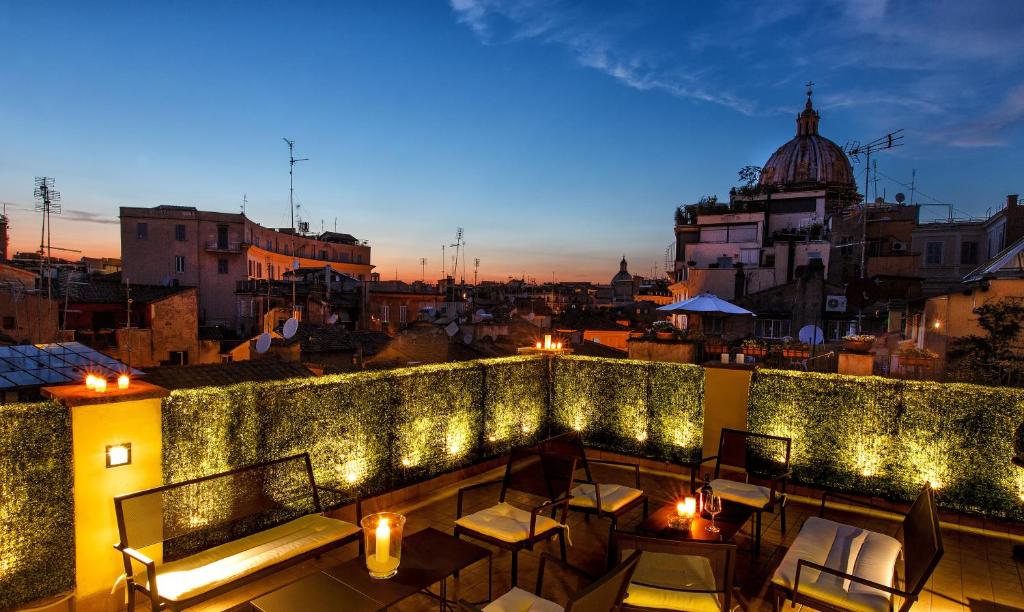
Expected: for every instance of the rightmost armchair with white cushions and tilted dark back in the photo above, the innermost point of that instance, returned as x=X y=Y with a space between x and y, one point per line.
x=833 y=566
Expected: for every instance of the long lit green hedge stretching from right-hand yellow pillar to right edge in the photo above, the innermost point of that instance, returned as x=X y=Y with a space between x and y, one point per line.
x=887 y=438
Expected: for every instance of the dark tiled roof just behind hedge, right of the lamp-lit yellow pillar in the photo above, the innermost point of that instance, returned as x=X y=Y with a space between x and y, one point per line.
x=219 y=375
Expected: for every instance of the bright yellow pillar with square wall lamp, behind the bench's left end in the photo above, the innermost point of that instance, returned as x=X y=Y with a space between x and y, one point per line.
x=94 y=428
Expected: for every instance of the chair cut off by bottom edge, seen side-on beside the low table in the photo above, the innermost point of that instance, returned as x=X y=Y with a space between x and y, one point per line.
x=604 y=595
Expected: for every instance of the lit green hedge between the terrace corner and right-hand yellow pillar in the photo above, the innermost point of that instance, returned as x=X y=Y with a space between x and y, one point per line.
x=644 y=409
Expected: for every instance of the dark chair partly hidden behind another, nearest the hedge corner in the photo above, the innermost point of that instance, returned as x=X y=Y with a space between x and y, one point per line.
x=591 y=498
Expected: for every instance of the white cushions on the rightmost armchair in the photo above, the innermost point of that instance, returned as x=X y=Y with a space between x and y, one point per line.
x=859 y=552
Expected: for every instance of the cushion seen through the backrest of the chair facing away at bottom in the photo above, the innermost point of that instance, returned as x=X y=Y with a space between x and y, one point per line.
x=672 y=572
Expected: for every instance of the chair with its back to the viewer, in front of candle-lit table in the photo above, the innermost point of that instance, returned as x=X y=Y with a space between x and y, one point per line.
x=677 y=575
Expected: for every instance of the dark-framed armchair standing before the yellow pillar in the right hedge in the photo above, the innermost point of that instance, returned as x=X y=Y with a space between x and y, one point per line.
x=760 y=456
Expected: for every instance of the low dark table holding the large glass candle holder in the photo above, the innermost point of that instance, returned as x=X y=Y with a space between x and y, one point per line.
x=429 y=557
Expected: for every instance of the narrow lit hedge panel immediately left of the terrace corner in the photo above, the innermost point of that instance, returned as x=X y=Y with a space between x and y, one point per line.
x=516 y=404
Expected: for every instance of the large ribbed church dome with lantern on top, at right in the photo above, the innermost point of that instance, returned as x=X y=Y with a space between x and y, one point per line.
x=808 y=160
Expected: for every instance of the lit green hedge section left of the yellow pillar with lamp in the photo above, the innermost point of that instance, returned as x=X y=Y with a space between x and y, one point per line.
x=37 y=537
